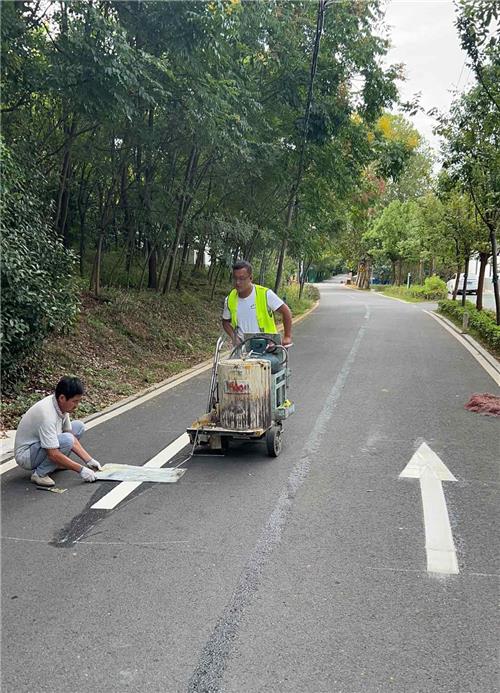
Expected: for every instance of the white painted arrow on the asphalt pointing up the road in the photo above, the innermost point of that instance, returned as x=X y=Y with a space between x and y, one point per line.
x=426 y=466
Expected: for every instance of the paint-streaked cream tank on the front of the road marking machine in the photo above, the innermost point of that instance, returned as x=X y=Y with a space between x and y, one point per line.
x=244 y=394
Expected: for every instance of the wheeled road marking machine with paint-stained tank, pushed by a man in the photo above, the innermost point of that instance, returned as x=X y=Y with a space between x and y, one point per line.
x=248 y=397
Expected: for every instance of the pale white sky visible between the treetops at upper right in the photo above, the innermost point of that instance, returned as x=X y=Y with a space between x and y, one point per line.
x=424 y=38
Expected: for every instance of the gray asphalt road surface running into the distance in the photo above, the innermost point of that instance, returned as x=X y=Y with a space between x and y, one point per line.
x=307 y=573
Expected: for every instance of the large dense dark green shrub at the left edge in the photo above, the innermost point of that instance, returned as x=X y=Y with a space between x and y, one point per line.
x=37 y=293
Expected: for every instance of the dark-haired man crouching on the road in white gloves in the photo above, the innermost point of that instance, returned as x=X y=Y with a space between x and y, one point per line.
x=46 y=436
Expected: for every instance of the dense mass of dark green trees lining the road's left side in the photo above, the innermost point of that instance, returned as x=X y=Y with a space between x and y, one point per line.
x=152 y=139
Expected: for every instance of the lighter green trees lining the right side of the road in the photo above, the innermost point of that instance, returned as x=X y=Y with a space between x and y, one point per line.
x=412 y=221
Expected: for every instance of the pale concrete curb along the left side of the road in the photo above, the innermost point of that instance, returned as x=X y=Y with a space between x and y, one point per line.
x=147 y=393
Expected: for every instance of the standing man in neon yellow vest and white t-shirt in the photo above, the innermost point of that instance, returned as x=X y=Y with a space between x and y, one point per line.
x=249 y=308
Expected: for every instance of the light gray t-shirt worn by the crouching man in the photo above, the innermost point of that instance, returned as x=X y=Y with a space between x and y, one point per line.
x=42 y=423
